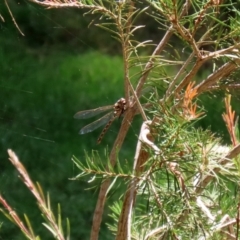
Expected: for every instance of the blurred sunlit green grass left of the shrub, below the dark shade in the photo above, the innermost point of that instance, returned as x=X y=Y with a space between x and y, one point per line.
x=39 y=95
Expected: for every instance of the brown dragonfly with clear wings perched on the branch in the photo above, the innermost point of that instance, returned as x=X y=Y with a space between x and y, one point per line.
x=118 y=110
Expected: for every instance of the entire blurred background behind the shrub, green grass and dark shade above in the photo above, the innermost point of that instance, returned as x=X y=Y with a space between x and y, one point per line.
x=46 y=77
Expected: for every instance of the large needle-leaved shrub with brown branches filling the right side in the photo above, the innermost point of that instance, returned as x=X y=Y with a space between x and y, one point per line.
x=182 y=183
